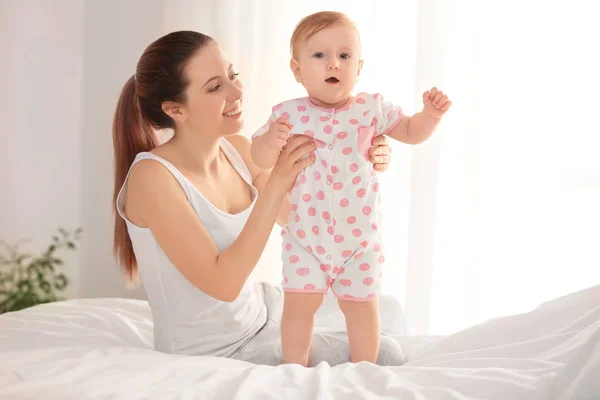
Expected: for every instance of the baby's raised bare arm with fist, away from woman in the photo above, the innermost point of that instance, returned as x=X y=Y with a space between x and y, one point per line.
x=419 y=127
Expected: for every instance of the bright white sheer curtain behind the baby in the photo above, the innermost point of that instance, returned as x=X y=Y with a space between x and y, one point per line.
x=499 y=211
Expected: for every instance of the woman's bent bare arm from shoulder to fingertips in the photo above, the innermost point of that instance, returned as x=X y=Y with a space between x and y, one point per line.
x=165 y=210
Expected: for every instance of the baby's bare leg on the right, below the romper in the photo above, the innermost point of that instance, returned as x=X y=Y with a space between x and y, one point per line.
x=364 y=329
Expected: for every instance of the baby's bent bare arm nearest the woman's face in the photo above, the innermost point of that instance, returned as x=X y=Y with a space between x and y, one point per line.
x=266 y=147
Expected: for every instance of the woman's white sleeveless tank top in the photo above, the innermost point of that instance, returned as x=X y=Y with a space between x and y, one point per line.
x=186 y=320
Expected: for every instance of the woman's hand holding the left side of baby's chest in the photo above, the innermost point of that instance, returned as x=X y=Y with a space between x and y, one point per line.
x=291 y=162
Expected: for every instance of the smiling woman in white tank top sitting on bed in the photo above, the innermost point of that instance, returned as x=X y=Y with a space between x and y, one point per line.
x=189 y=214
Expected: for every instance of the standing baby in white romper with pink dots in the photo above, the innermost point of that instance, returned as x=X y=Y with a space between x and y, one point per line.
x=333 y=236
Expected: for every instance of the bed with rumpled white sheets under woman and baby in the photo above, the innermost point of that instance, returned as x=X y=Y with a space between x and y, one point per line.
x=102 y=349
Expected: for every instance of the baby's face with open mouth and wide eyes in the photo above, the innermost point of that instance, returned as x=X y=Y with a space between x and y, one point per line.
x=328 y=65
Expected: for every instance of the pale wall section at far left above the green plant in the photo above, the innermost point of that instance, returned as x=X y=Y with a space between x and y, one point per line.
x=41 y=78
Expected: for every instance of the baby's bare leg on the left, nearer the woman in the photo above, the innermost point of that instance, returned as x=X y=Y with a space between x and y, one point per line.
x=297 y=322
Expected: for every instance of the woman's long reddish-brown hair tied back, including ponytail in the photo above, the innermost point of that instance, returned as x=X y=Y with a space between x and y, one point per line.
x=159 y=77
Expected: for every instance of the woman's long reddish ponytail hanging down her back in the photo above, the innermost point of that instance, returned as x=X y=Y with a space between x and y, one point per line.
x=132 y=134
